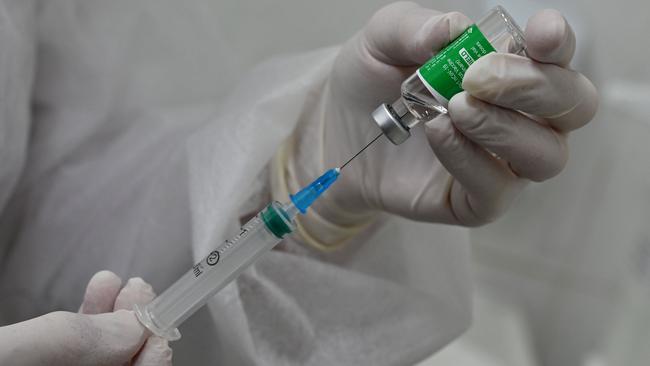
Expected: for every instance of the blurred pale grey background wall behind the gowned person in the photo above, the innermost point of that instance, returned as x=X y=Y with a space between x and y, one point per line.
x=571 y=259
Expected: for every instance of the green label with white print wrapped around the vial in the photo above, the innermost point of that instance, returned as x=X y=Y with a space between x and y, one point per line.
x=443 y=74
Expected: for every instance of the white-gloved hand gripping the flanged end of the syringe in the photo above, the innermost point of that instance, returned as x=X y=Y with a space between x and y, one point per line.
x=103 y=333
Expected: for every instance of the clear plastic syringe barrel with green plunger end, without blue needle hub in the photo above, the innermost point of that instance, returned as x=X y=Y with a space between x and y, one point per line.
x=215 y=271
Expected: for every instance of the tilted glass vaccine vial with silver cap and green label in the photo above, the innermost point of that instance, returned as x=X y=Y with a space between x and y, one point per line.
x=427 y=92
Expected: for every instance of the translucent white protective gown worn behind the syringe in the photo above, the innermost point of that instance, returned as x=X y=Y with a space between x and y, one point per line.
x=146 y=144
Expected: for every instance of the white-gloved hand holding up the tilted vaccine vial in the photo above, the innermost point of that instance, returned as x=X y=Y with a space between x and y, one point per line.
x=509 y=126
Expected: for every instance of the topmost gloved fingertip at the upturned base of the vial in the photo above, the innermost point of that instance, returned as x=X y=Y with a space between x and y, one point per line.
x=549 y=38
